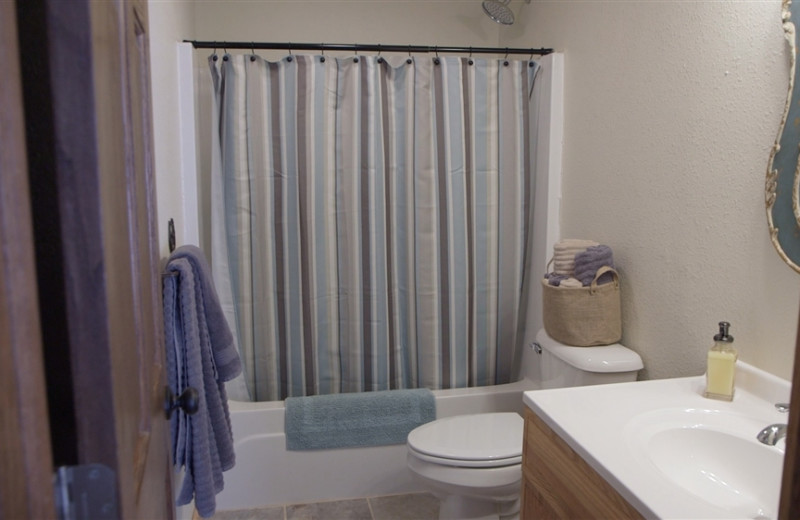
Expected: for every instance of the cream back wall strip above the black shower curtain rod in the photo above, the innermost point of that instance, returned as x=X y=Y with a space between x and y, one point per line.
x=418 y=22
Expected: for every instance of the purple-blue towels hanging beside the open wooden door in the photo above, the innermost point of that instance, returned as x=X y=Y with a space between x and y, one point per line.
x=200 y=353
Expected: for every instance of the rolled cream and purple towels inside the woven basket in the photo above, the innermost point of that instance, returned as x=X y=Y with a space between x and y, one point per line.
x=576 y=262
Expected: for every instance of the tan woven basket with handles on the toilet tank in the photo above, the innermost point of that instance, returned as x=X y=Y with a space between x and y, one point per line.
x=584 y=316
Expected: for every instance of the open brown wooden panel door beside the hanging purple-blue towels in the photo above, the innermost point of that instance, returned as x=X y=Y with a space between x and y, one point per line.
x=86 y=93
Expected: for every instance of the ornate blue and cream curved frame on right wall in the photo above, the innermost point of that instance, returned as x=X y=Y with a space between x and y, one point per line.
x=783 y=170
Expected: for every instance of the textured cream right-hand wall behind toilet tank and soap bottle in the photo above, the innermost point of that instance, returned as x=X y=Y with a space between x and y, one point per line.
x=671 y=109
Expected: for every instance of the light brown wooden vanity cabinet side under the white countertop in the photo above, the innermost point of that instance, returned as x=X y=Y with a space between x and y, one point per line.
x=557 y=483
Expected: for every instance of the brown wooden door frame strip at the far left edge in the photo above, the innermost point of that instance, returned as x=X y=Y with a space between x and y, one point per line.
x=25 y=460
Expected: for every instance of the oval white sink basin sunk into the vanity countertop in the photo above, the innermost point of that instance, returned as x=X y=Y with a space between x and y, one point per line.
x=707 y=453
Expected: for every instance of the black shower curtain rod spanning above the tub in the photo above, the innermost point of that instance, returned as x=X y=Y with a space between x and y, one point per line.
x=360 y=47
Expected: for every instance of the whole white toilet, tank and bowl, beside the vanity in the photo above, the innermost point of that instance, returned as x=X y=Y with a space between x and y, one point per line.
x=473 y=463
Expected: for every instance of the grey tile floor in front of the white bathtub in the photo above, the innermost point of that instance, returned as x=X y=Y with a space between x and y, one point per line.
x=417 y=506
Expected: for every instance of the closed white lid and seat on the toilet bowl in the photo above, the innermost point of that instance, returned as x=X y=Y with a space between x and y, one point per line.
x=487 y=438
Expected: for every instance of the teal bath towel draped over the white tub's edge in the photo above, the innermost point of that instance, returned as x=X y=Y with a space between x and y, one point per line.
x=357 y=419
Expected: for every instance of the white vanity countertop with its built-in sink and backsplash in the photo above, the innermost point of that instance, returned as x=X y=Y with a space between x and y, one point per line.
x=671 y=452
